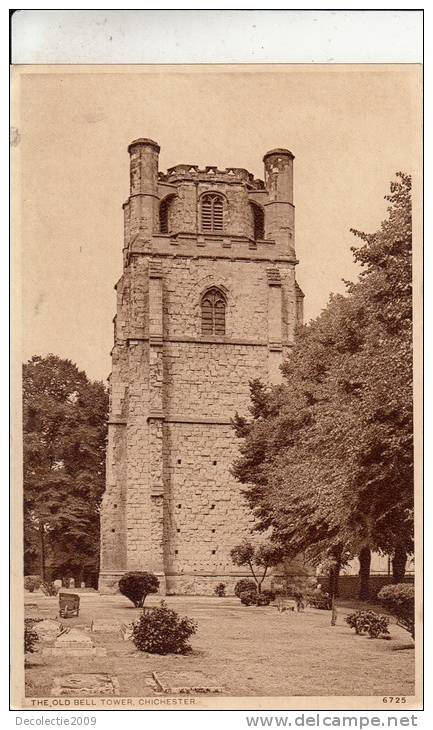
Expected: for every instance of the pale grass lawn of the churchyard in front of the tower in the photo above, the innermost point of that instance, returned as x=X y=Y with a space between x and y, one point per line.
x=246 y=650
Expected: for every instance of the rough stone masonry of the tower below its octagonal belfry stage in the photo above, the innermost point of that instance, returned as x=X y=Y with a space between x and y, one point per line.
x=203 y=384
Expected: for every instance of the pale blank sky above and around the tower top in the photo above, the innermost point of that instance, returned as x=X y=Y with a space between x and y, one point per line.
x=350 y=129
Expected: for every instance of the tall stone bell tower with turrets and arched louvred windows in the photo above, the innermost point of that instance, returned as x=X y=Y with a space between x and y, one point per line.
x=207 y=301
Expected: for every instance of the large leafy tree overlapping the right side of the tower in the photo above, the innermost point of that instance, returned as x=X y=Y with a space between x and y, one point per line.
x=326 y=457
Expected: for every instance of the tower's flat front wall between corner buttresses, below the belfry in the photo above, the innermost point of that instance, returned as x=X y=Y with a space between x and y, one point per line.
x=205 y=514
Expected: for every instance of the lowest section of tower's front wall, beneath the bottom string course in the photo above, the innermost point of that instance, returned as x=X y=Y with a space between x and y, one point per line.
x=205 y=515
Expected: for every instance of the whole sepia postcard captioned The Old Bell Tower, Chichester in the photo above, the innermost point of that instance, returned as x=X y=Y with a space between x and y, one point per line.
x=216 y=449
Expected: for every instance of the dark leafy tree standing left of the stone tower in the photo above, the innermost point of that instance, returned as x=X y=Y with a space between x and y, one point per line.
x=64 y=432
